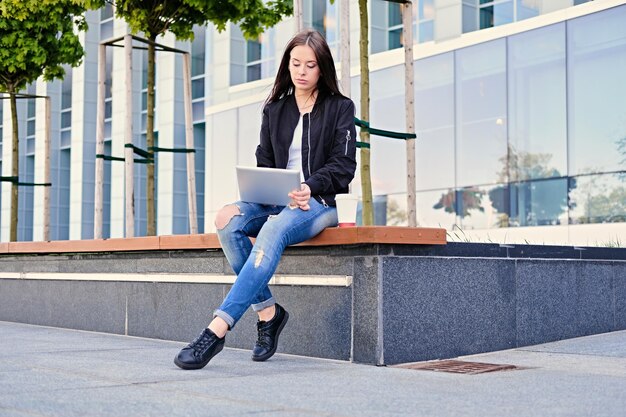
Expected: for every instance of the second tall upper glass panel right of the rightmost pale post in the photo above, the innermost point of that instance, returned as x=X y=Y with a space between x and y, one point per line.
x=481 y=113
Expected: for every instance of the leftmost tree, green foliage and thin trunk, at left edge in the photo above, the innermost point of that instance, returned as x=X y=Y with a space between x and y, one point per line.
x=37 y=37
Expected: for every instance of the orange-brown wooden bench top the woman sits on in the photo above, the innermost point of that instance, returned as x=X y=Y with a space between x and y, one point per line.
x=329 y=237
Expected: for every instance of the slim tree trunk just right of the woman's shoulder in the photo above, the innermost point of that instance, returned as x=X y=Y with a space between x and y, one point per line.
x=366 y=182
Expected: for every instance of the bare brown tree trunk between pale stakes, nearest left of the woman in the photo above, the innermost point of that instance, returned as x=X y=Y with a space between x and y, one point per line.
x=150 y=203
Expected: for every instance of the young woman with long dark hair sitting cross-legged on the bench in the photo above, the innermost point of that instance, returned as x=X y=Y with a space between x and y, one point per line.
x=307 y=125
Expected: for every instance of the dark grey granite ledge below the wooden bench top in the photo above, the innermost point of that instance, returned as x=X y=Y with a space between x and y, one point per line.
x=370 y=302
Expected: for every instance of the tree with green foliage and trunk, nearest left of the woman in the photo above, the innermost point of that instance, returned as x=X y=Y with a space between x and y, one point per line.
x=154 y=18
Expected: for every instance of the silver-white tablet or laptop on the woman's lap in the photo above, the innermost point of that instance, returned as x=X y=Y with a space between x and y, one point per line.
x=267 y=185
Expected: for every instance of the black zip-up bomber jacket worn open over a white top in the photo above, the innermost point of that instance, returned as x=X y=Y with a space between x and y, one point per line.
x=328 y=143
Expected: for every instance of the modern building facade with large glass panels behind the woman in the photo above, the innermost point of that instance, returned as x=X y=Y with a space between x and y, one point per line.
x=520 y=121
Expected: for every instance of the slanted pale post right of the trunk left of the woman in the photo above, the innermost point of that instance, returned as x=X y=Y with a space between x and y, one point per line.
x=191 y=163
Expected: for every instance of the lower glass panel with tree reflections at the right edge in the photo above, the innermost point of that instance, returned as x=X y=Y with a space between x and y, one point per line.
x=597 y=199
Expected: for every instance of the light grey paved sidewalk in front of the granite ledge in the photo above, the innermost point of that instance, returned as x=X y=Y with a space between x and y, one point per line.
x=55 y=372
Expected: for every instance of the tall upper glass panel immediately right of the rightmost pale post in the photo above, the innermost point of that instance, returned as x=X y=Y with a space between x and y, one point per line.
x=434 y=121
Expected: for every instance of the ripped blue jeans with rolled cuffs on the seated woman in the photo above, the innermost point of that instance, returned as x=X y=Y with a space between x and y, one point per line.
x=275 y=227
